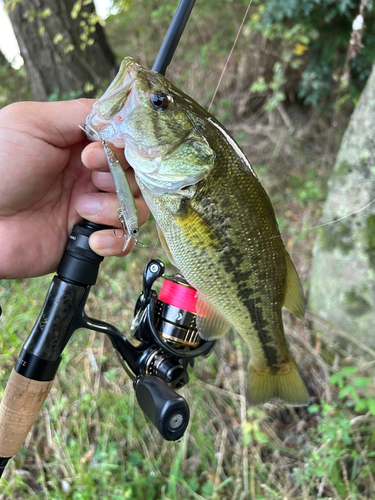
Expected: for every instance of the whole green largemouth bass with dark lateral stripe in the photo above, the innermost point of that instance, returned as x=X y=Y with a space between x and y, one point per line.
x=214 y=218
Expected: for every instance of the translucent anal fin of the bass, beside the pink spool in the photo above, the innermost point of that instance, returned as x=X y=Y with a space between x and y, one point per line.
x=210 y=323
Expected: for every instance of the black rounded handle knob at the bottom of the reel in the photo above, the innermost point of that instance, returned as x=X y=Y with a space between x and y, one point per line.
x=166 y=409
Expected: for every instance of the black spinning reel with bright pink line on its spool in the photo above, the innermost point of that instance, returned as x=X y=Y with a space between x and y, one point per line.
x=166 y=327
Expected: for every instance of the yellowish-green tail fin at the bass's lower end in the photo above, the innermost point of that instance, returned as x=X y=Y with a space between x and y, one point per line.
x=282 y=382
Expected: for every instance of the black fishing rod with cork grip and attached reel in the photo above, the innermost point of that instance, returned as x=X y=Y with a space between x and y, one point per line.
x=164 y=327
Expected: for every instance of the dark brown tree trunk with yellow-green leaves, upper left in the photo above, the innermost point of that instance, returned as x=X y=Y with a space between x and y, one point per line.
x=63 y=46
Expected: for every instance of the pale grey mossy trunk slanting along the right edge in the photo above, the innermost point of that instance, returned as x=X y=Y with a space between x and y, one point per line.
x=342 y=280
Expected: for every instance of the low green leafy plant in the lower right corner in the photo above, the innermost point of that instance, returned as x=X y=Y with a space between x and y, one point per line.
x=340 y=454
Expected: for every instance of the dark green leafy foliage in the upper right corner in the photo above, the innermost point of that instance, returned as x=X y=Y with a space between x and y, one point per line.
x=328 y=26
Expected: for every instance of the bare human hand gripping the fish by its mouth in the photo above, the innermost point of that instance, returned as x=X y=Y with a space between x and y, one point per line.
x=43 y=180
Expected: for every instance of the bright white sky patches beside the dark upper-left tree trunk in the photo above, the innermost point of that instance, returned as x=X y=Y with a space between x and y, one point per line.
x=8 y=43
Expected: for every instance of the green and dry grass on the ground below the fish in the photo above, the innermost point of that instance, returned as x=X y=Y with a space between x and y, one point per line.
x=91 y=439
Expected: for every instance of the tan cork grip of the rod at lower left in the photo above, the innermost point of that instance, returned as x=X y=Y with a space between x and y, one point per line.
x=22 y=401
